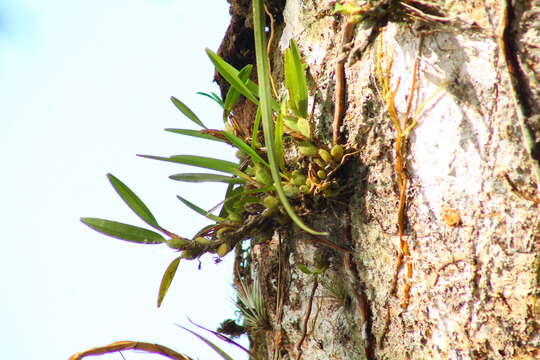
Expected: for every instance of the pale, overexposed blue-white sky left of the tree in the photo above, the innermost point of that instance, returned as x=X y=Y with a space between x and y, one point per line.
x=84 y=86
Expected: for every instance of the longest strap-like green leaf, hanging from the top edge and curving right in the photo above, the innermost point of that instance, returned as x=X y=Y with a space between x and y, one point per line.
x=263 y=71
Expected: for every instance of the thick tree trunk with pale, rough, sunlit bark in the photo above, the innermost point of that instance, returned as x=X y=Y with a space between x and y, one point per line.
x=438 y=260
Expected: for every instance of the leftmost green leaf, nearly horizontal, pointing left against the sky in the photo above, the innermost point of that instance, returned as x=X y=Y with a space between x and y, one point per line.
x=123 y=231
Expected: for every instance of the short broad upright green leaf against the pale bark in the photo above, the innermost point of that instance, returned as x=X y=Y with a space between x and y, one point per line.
x=295 y=80
